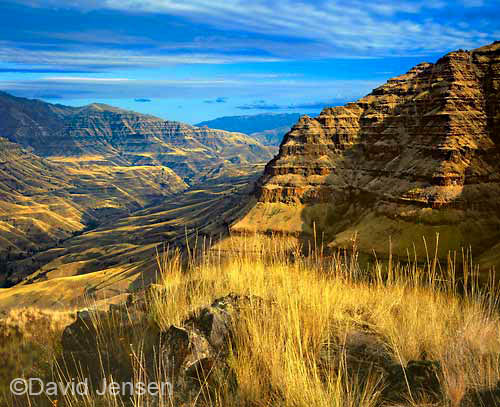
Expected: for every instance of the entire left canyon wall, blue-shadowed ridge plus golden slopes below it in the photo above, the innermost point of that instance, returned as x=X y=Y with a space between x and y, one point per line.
x=65 y=169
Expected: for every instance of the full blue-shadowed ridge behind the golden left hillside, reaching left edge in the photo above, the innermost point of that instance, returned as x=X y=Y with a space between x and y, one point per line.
x=123 y=137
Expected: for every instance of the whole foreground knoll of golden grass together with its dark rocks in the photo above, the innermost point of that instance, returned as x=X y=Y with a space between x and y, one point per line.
x=284 y=328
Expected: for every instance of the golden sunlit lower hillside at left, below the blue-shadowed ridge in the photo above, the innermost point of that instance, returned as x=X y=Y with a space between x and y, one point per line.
x=44 y=202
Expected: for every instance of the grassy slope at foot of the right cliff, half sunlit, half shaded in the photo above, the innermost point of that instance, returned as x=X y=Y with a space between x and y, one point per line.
x=412 y=231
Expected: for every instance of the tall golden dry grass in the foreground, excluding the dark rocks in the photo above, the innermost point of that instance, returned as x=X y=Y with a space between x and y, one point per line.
x=432 y=311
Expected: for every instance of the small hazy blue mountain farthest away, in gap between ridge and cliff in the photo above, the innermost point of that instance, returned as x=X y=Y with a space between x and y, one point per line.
x=267 y=128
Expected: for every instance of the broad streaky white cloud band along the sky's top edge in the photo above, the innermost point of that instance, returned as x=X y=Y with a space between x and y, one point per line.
x=384 y=27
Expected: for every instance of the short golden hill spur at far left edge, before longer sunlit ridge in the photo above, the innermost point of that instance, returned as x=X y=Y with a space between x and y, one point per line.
x=26 y=181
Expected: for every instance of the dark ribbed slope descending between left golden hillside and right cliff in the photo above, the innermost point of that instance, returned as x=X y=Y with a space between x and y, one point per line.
x=120 y=256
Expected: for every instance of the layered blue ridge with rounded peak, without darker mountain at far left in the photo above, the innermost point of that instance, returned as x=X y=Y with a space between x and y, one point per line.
x=104 y=130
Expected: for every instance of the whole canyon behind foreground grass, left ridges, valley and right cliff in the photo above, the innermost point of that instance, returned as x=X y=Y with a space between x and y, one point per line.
x=408 y=171
